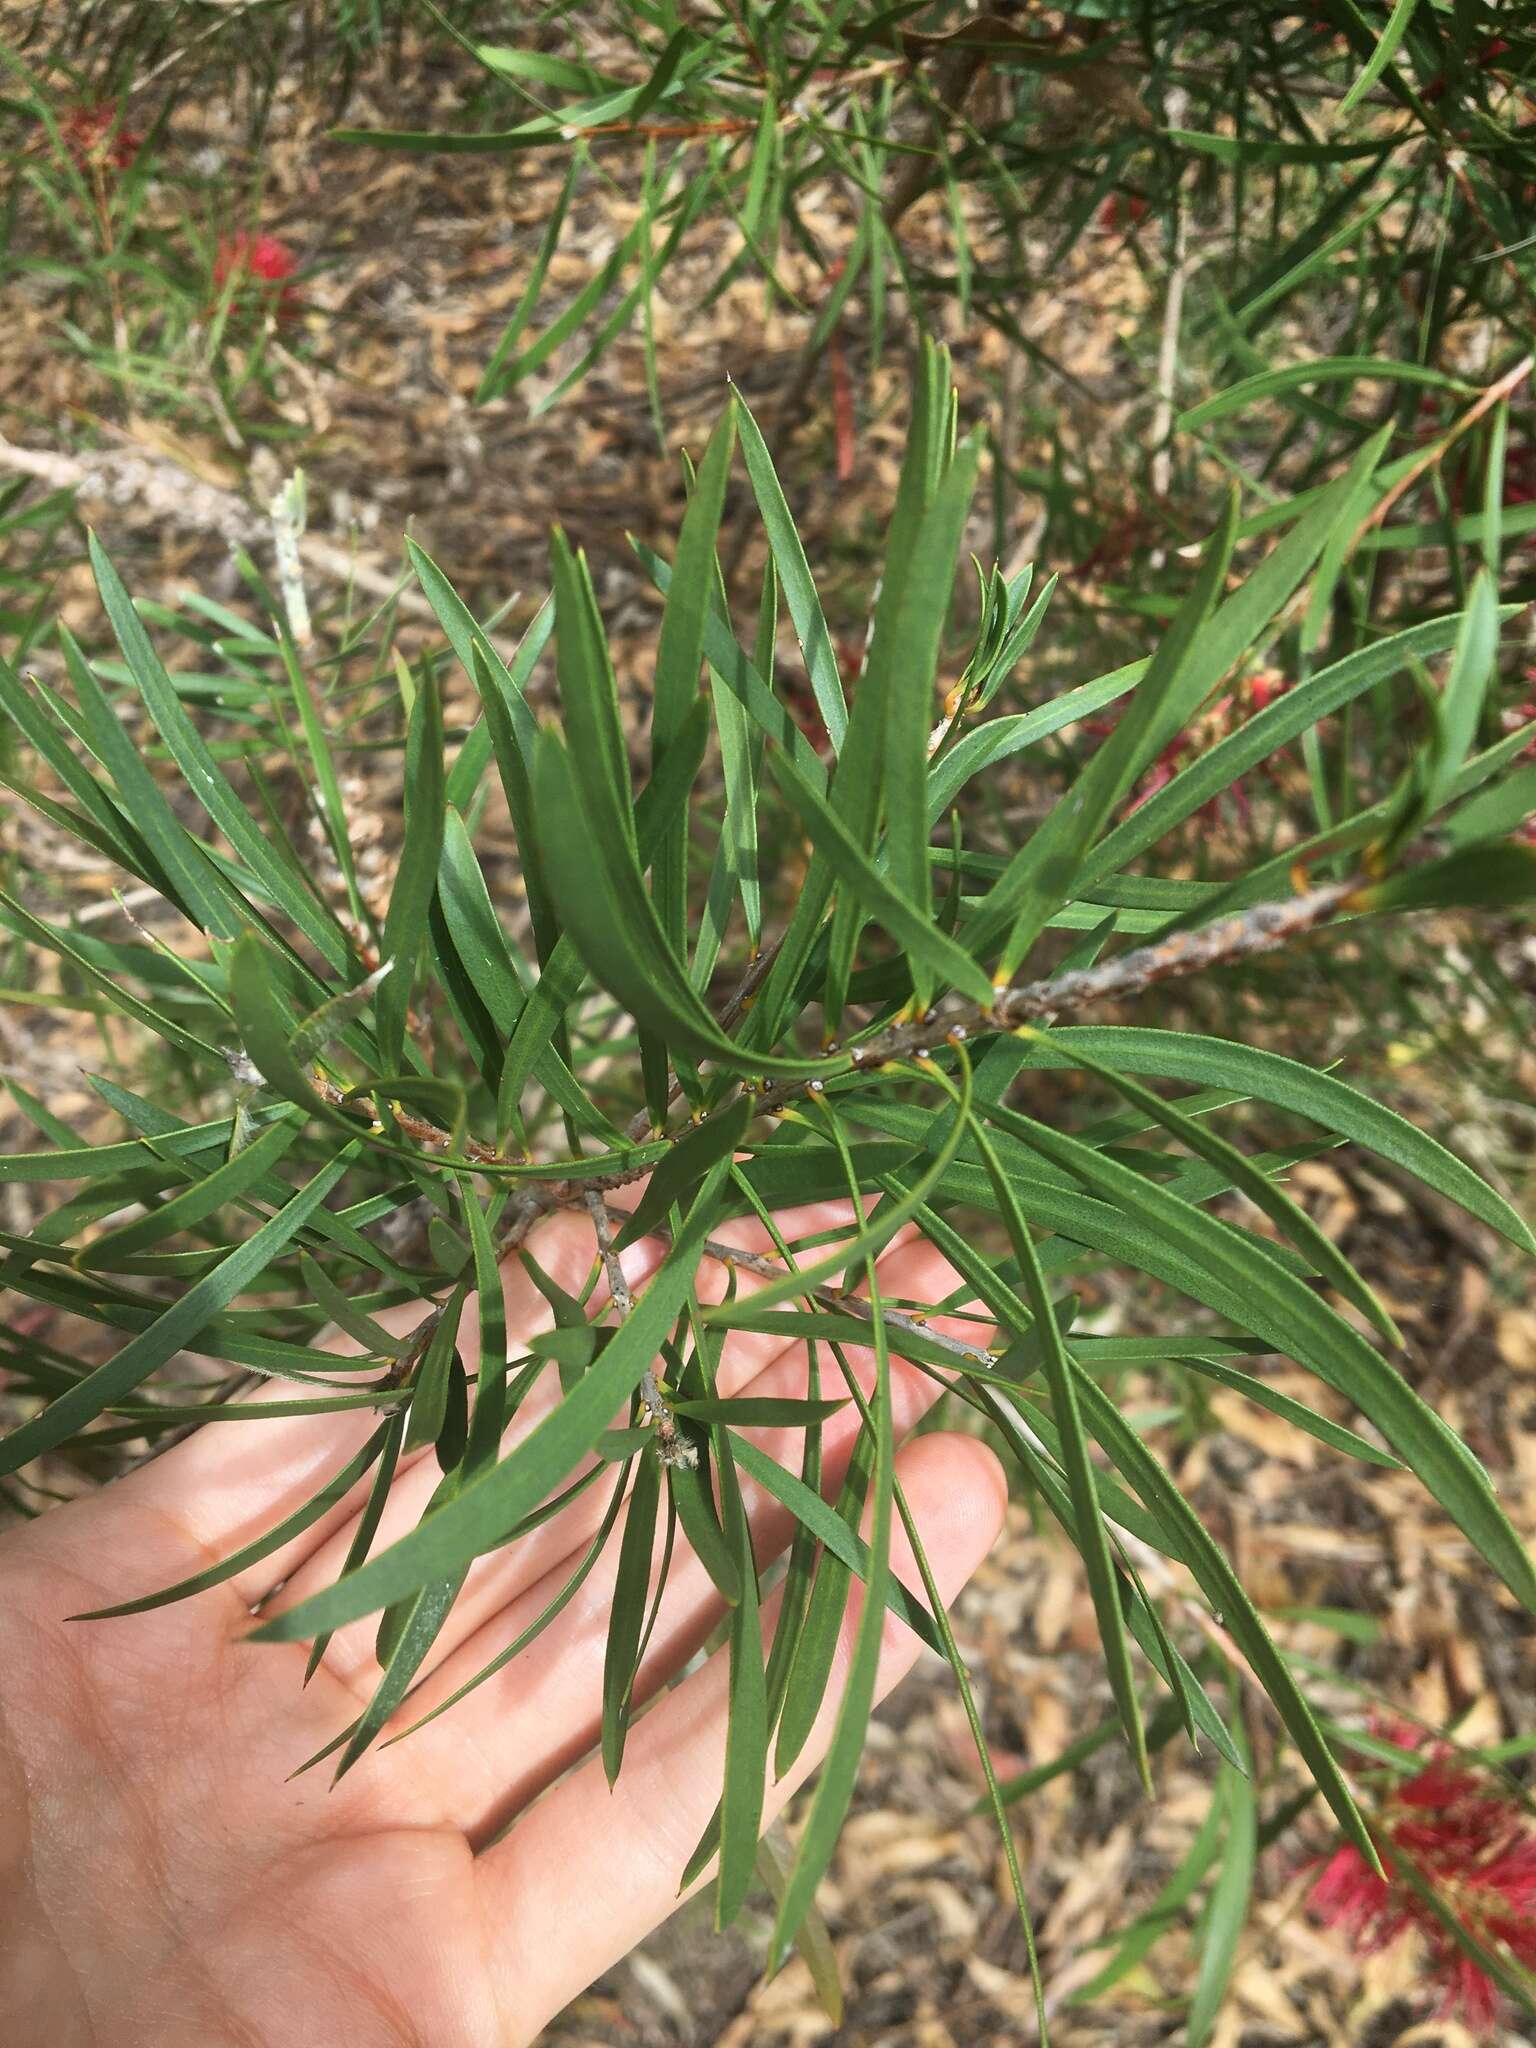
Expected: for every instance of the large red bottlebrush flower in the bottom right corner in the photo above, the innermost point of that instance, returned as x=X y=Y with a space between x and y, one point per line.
x=1467 y=1844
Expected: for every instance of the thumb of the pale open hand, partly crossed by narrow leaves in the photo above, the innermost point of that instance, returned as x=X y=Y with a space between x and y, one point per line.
x=591 y=1873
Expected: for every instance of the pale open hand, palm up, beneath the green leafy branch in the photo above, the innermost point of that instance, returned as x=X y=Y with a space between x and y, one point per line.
x=165 y=1885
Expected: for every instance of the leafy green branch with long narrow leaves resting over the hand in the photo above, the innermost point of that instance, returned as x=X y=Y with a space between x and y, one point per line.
x=357 y=1062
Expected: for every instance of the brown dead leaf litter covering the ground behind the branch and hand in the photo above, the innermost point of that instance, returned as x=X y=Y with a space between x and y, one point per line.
x=413 y=271
